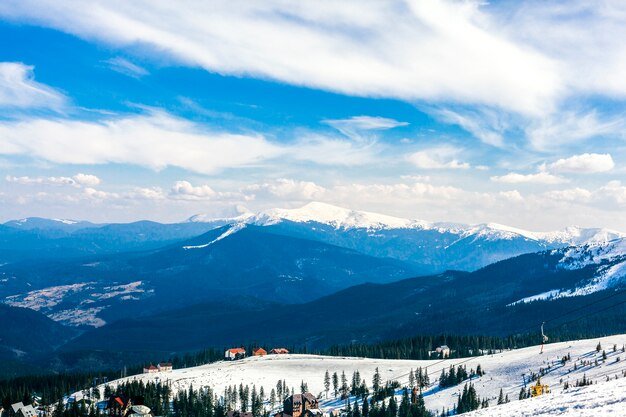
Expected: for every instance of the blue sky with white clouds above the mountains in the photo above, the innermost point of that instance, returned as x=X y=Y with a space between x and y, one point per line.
x=511 y=112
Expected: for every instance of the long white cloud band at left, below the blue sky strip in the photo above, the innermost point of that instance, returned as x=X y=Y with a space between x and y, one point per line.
x=156 y=141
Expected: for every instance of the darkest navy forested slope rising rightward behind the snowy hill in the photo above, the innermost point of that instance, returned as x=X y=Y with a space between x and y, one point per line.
x=482 y=302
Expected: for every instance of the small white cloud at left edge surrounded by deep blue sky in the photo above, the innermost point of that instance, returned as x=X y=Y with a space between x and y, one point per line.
x=18 y=89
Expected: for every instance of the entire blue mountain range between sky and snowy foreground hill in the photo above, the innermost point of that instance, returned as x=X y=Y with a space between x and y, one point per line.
x=332 y=275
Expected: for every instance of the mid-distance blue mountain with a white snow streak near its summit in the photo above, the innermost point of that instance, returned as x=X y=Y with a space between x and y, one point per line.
x=228 y=262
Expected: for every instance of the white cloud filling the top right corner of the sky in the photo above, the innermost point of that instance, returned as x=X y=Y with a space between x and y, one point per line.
x=585 y=37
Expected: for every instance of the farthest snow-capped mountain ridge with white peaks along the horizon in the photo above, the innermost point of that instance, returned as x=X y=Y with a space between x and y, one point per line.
x=434 y=247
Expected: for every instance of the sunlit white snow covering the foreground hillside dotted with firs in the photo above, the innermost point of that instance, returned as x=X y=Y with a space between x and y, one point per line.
x=503 y=370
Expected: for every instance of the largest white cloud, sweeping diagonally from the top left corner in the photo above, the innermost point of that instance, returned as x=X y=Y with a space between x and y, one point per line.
x=438 y=50
